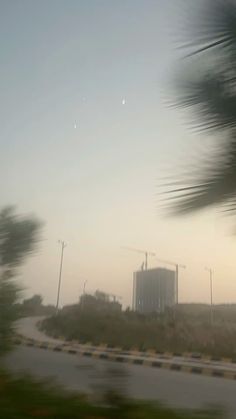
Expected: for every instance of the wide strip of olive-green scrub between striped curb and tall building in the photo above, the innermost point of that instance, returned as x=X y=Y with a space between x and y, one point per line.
x=189 y=331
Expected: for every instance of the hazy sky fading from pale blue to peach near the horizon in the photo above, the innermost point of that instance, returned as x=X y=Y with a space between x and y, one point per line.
x=86 y=140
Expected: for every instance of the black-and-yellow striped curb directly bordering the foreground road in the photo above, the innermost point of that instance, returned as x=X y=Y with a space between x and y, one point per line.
x=121 y=357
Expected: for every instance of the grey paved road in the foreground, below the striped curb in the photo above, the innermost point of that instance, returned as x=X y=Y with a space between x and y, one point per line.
x=81 y=373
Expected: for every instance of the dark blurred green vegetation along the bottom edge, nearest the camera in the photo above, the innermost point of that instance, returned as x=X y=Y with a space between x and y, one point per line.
x=23 y=398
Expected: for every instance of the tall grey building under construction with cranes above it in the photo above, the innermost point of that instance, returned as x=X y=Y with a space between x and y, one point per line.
x=153 y=290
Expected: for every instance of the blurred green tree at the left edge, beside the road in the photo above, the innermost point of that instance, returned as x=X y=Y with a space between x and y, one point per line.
x=18 y=238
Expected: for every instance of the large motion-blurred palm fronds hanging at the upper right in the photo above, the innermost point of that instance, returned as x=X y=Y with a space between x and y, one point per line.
x=208 y=88
